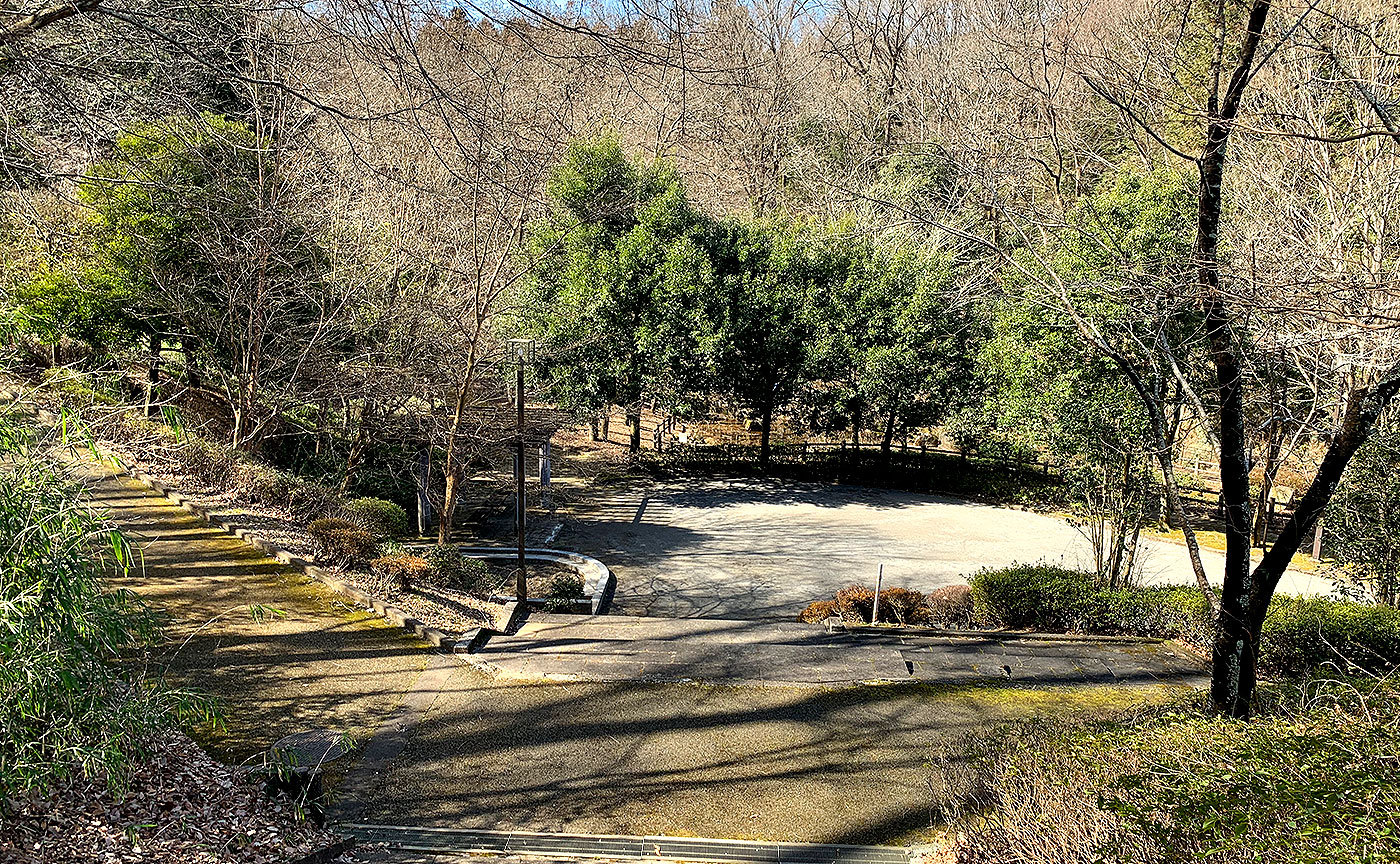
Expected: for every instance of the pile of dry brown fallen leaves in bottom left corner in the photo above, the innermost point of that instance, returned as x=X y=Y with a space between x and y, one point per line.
x=181 y=807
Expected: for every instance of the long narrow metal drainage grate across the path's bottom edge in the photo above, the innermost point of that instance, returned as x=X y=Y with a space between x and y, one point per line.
x=612 y=846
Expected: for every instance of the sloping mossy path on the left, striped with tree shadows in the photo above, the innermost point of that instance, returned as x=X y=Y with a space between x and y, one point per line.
x=278 y=652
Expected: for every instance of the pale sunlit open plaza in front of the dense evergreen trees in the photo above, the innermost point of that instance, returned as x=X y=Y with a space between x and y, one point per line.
x=757 y=550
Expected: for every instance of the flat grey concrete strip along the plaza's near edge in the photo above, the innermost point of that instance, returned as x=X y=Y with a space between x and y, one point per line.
x=615 y=649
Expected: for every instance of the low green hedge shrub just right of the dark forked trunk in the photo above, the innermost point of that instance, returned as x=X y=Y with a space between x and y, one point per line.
x=1304 y=634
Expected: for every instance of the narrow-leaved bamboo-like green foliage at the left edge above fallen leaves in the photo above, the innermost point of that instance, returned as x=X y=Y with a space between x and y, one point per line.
x=66 y=702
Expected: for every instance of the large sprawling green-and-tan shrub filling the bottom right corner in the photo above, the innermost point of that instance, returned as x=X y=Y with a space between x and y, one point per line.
x=1305 y=782
